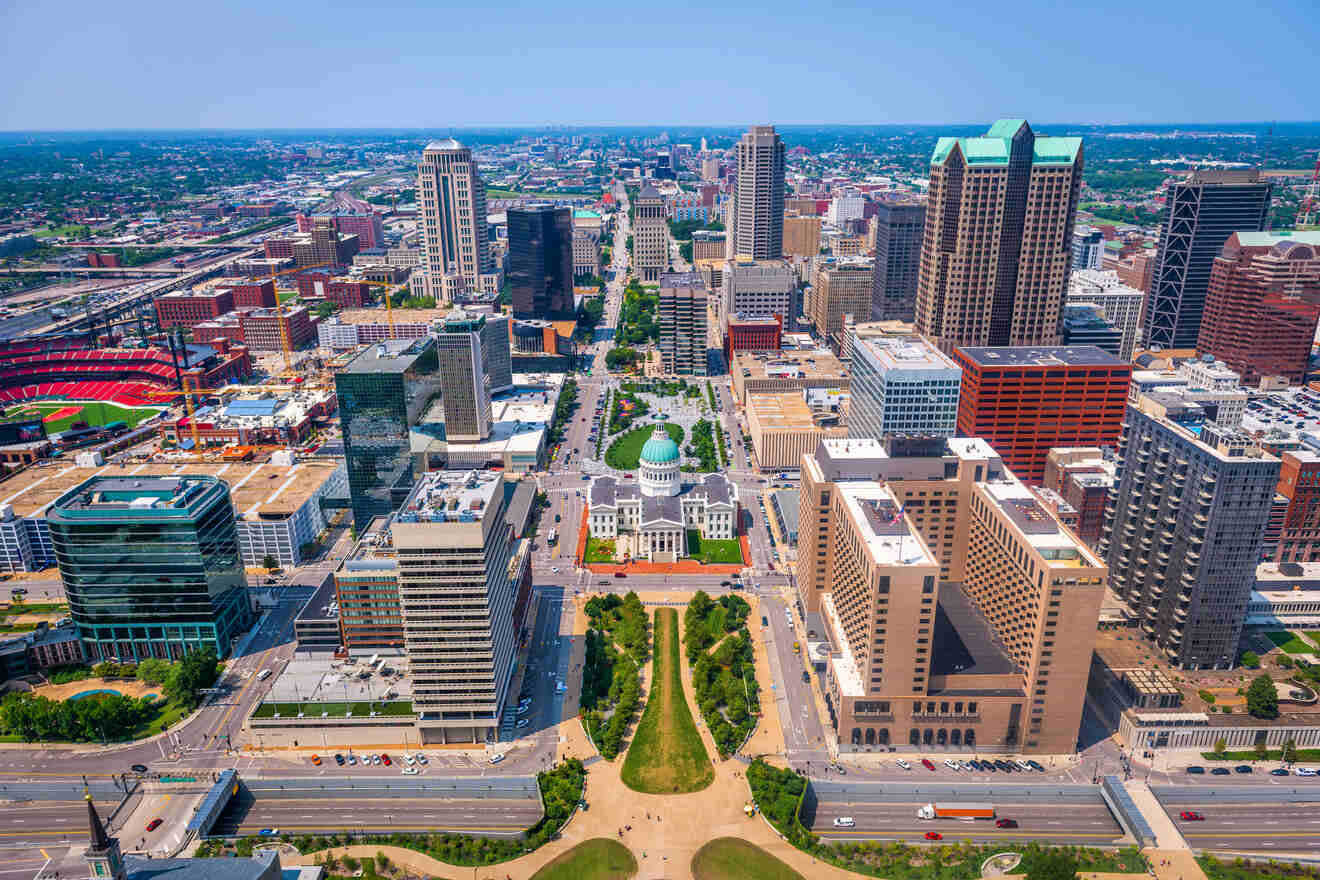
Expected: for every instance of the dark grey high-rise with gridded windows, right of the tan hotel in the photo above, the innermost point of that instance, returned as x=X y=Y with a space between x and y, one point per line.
x=1185 y=528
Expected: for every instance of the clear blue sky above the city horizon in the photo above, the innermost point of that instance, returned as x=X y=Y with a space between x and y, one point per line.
x=295 y=64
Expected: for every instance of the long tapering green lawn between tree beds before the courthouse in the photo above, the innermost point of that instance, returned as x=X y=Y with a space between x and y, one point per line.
x=667 y=755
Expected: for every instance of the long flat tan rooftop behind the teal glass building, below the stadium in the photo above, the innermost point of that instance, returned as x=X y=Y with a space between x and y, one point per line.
x=257 y=490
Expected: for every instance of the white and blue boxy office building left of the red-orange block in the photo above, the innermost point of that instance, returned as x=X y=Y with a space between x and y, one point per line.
x=902 y=386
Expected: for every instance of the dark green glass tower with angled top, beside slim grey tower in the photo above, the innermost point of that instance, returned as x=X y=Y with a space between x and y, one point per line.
x=383 y=393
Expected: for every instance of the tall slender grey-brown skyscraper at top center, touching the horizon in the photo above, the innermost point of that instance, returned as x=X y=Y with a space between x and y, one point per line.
x=757 y=200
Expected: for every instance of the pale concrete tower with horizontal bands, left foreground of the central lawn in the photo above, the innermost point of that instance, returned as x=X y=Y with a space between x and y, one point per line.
x=459 y=589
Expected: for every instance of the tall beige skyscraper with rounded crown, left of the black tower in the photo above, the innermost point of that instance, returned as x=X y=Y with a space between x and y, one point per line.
x=456 y=255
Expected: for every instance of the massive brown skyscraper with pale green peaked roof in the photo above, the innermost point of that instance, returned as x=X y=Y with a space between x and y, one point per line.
x=999 y=238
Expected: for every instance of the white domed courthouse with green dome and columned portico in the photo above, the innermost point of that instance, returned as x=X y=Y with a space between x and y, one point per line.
x=650 y=519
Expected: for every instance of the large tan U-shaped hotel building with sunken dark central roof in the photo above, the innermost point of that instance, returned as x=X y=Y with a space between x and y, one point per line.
x=980 y=650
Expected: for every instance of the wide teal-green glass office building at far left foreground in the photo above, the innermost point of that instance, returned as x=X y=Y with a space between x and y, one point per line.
x=151 y=565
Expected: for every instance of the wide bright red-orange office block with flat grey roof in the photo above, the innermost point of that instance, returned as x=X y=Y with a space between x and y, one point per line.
x=1028 y=400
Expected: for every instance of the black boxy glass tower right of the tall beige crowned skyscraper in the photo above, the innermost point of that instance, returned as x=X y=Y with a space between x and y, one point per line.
x=541 y=262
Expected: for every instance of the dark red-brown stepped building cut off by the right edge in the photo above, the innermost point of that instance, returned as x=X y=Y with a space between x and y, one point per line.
x=1263 y=305
